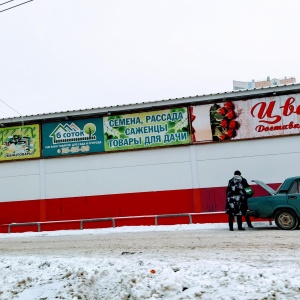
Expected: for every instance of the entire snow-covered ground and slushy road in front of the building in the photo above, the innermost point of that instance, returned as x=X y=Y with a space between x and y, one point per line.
x=202 y=261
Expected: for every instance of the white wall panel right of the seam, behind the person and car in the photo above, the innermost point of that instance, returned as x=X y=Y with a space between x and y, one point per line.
x=270 y=160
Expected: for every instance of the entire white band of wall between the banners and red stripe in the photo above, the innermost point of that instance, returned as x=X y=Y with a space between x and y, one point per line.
x=204 y=165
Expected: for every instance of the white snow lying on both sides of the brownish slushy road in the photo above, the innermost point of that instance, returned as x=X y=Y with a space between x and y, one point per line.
x=165 y=274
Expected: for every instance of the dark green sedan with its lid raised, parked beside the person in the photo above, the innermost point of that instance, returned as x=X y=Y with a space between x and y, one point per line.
x=282 y=205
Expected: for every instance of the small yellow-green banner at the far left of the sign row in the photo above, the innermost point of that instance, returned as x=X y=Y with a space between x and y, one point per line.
x=20 y=142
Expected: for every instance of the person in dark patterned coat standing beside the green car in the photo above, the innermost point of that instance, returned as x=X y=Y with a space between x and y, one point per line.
x=236 y=198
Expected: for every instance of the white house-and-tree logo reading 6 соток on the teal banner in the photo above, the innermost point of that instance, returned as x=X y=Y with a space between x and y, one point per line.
x=72 y=133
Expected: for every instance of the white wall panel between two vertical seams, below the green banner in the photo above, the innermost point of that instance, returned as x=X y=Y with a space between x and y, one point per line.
x=122 y=172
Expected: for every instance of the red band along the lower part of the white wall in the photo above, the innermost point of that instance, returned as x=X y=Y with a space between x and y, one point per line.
x=120 y=205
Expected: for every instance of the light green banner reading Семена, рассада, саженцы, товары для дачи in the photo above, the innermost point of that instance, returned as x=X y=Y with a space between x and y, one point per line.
x=146 y=129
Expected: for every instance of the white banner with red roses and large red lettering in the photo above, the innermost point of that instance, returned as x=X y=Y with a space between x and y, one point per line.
x=246 y=119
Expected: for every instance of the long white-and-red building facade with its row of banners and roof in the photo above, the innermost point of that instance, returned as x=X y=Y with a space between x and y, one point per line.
x=164 y=157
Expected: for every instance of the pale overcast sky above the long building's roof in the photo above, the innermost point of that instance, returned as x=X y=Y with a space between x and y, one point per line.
x=59 y=55
